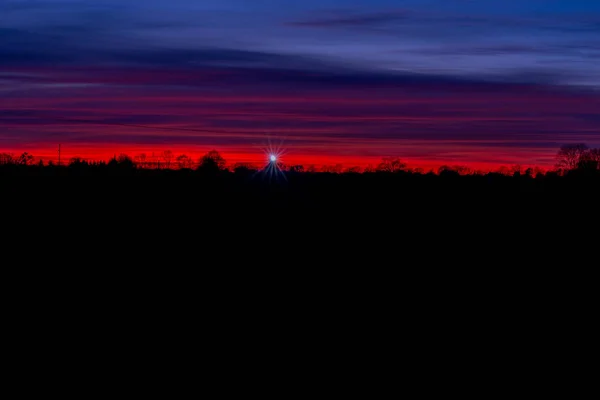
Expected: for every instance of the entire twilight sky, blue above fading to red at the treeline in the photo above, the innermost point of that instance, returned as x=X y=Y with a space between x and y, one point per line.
x=456 y=82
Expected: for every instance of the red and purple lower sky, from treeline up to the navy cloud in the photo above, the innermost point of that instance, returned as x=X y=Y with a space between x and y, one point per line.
x=97 y=113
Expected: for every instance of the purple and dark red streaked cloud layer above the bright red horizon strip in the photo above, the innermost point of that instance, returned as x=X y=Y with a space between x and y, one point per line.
x=436 y=119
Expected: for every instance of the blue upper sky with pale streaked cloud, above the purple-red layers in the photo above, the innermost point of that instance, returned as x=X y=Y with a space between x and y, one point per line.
x=443 y=37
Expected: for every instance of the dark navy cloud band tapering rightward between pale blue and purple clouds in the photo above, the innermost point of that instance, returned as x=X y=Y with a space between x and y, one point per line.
x=61 y=59
